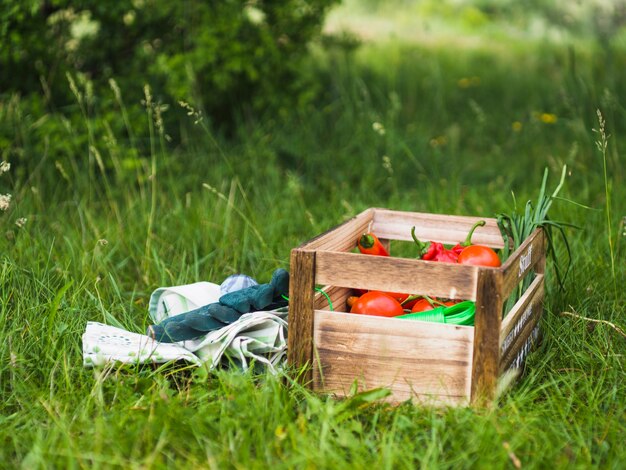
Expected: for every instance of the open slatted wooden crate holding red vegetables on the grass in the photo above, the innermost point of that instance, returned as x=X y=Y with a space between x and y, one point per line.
x=419 y=360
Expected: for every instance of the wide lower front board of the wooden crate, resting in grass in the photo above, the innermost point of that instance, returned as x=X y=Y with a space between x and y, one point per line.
x=413 y=358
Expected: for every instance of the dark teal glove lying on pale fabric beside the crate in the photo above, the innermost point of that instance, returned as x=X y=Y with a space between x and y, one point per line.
x=227 y=310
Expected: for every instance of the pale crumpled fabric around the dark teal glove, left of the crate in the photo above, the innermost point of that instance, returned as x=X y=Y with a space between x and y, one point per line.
x=258 y=336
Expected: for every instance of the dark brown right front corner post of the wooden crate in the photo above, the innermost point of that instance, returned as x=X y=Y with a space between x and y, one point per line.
x=485 y=366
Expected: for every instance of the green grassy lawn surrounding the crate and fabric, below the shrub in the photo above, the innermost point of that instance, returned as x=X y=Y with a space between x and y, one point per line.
x=462 y=127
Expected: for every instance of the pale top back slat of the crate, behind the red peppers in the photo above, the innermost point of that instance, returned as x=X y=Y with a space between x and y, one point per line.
x=447 y=229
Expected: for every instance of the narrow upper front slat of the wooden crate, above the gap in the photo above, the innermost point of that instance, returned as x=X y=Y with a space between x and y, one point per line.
x=454 y=281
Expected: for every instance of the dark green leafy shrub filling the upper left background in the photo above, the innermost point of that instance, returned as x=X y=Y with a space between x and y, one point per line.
x=66 y=61
